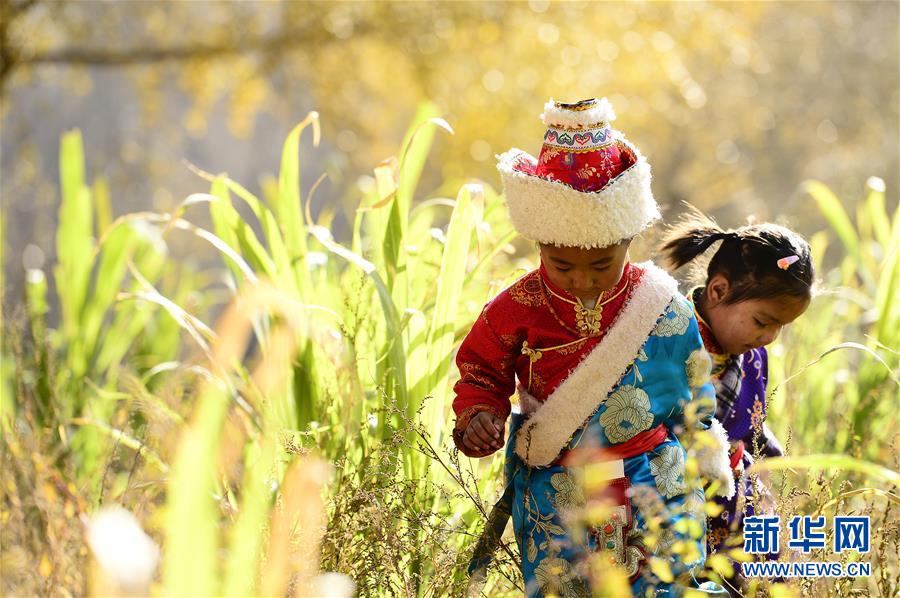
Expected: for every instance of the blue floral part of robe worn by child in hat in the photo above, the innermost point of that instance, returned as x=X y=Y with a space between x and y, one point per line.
x=670 y=372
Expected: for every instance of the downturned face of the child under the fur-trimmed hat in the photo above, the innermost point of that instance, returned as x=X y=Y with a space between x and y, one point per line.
x=585 y=273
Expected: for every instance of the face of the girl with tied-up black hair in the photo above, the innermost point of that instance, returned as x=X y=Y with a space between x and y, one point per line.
x=739 y=327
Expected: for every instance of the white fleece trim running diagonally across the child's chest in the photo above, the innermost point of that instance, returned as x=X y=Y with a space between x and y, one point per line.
x=547 y=432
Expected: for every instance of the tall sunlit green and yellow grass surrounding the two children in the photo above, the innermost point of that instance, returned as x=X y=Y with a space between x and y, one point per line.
x=287 y=412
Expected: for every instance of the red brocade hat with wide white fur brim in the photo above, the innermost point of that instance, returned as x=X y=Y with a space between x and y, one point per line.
x=588 y=188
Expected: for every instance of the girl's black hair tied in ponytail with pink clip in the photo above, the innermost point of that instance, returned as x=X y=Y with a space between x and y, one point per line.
x=749 y=257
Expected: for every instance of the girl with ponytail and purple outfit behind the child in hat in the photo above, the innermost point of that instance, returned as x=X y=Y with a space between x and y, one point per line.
x=759 y=279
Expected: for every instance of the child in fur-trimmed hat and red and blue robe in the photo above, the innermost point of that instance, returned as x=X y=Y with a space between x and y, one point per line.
x=608 y=360
